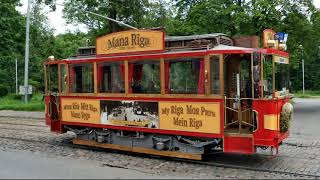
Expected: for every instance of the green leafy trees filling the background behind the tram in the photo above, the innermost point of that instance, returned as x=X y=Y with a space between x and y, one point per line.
x=299 y=18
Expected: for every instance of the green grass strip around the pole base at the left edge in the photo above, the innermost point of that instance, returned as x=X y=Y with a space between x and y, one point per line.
x=14 y=102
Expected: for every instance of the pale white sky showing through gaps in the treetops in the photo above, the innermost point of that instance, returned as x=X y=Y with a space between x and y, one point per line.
x=59 y=24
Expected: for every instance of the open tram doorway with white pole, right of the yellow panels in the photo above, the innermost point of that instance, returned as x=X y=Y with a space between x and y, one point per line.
x=238 y=93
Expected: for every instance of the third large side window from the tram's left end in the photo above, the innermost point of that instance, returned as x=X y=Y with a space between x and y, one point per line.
x=144 y=77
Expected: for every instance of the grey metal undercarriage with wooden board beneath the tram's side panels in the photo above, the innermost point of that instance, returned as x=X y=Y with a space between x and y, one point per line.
x=154 y=144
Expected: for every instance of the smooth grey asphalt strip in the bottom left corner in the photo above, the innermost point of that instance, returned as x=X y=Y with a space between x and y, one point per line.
x=33 y=166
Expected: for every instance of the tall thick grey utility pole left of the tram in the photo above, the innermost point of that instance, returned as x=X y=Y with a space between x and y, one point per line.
x=26 y=55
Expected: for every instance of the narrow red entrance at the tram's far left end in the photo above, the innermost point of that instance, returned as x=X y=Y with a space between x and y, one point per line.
x=52 y=99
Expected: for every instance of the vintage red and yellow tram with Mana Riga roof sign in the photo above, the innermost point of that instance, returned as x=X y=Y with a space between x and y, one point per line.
x=178 y=96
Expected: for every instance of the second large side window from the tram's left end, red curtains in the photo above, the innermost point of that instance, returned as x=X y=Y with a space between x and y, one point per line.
x=111 y=77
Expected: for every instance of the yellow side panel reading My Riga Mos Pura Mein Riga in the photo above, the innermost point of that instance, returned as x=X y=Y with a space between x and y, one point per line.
x=190 y=116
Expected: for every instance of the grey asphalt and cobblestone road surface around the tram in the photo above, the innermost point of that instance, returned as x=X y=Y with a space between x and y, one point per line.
x=300 y=153
